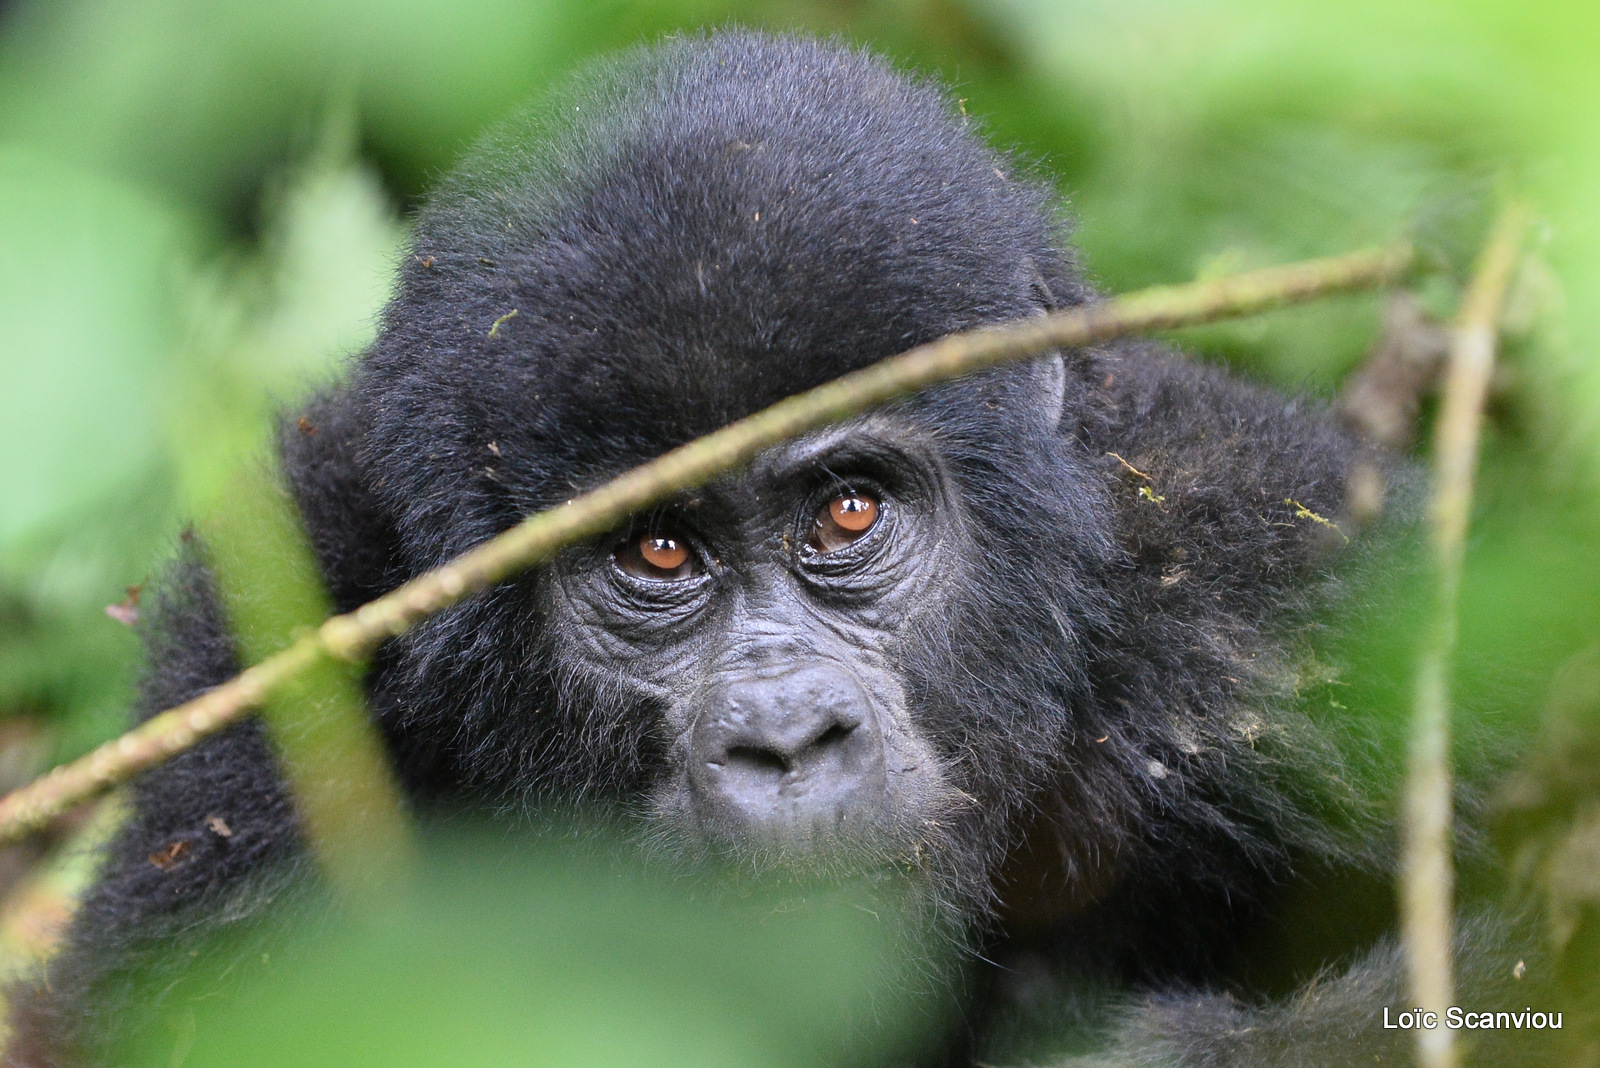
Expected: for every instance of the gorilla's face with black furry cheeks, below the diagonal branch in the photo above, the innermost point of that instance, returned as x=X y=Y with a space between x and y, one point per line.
x=858 y=653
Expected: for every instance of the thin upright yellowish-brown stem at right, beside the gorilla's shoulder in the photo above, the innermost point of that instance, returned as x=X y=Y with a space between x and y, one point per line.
x=1428 y=872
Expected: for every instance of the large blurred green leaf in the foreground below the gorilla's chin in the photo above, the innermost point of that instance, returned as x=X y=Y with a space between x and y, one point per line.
x=506 y=954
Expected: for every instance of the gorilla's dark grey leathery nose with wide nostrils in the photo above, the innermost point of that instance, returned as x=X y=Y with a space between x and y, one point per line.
x=793 y=754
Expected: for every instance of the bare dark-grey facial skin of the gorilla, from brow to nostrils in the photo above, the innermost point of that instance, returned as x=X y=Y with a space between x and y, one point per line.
x=766 y=618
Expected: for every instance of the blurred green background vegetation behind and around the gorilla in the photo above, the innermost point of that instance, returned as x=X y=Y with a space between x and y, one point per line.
x=202 y=201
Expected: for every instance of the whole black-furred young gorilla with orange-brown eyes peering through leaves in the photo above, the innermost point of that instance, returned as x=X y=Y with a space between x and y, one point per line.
x=1038 y=636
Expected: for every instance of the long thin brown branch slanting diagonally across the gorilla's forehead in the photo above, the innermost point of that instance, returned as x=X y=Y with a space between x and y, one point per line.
x=356 y=636
